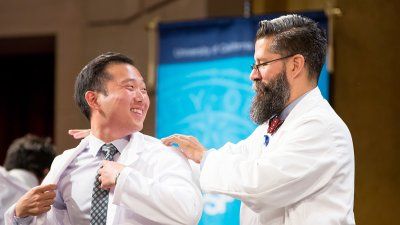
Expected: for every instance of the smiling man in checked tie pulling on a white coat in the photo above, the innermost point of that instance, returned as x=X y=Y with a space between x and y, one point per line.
x=116 y=175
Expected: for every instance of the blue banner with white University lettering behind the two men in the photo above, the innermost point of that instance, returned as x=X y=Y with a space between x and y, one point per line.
x=204 y=90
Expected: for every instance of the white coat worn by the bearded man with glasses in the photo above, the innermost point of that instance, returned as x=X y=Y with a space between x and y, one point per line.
x=304 y=176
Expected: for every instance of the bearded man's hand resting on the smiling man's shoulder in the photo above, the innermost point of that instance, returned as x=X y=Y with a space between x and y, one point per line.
x=188 y=145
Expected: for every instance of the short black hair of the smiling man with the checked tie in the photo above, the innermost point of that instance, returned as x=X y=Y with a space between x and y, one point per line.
x=93 y=77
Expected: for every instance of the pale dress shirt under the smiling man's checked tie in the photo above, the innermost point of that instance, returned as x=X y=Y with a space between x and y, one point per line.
x=75 y=187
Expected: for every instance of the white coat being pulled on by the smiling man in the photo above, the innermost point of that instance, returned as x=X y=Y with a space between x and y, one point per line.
x=157 y=187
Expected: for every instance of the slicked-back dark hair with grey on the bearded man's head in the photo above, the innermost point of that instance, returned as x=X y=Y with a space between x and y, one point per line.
x=294 y=34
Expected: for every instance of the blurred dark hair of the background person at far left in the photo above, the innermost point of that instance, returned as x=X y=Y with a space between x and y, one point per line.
x=30 y=153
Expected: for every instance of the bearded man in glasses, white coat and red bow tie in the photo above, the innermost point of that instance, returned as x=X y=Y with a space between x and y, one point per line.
x=303 y=172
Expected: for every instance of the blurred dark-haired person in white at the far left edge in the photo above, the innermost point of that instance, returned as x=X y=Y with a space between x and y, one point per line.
x=27 y=162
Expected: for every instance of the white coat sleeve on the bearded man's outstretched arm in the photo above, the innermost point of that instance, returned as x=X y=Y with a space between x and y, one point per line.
x=297 y=167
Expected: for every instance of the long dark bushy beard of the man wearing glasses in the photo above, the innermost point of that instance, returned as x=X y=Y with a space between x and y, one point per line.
x=270 y=98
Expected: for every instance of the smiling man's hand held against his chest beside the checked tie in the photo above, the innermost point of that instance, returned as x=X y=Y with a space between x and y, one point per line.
x=108 y=174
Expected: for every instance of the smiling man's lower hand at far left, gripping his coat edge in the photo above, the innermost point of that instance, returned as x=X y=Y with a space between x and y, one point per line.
x=36 y=201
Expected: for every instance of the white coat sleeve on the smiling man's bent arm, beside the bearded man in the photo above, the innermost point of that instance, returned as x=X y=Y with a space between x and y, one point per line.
x=169 y=197
